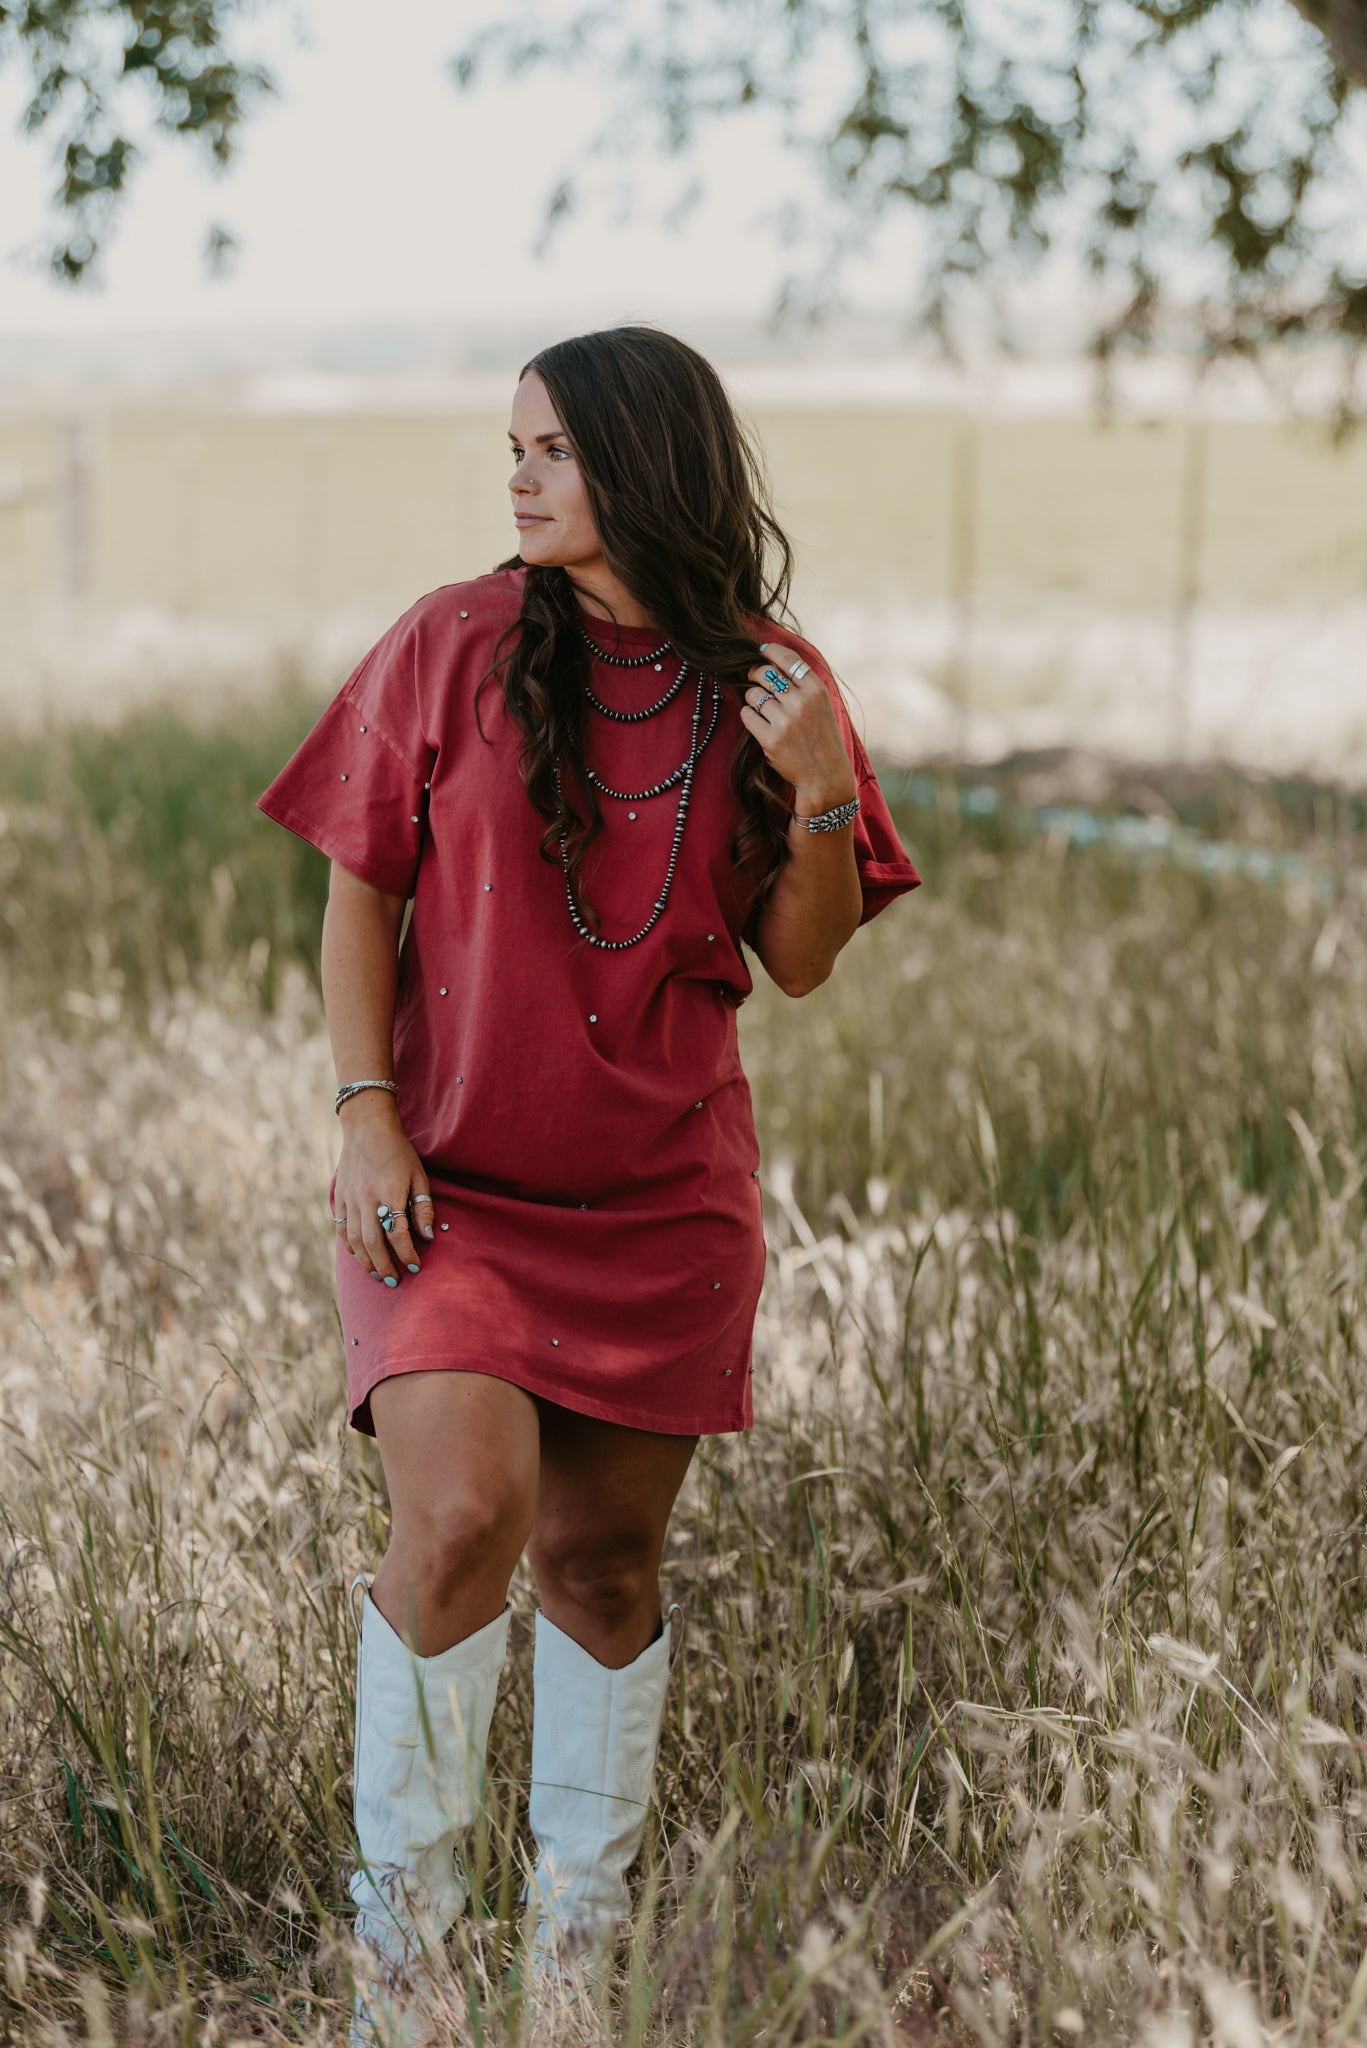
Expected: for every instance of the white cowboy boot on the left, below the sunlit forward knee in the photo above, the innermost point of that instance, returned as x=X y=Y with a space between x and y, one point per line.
x=423 y=1730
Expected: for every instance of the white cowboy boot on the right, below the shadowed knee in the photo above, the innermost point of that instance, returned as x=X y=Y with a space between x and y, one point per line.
x=593 y=1756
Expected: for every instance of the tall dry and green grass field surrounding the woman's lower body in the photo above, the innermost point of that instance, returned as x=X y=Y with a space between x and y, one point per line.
x=1024 y=1691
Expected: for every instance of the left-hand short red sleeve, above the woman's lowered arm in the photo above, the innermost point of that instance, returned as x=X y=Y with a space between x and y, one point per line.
x=356 y=787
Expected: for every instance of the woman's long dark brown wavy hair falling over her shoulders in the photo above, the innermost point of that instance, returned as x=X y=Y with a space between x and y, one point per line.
x=681 y=507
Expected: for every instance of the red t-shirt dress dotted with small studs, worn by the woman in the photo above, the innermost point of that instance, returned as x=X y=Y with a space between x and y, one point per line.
x=583 y=1115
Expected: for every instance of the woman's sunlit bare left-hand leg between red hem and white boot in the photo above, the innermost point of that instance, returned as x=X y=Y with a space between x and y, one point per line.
x=460 y=1455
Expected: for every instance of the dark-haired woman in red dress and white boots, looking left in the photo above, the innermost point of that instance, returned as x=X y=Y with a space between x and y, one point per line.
x=595 y=773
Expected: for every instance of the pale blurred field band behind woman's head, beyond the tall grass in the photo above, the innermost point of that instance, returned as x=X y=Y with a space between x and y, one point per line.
x=1184 y=581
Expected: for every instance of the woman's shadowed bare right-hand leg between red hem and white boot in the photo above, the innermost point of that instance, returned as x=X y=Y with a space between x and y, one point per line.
x=604 y=1506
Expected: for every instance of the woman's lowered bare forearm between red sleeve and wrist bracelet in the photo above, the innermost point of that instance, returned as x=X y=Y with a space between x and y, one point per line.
x=360 y=986
